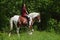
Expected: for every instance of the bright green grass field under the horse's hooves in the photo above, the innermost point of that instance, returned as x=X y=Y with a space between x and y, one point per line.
x=37 y=35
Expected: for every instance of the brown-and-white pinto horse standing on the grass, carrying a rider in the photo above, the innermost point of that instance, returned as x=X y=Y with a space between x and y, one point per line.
x=18 y=20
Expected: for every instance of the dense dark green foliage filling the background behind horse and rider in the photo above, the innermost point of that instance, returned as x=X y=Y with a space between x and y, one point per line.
x=49 y=9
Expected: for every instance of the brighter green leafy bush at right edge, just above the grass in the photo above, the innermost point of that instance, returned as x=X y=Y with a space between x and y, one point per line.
x=53 y=26
